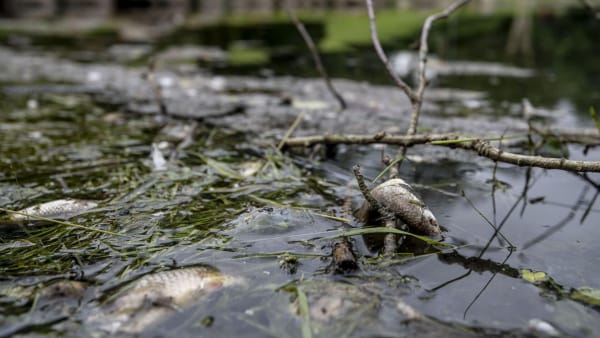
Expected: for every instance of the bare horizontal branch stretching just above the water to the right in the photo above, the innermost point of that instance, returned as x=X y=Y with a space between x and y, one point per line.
x=480 y=146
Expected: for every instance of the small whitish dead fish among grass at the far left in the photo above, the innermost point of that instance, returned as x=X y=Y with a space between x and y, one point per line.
x=59 y=209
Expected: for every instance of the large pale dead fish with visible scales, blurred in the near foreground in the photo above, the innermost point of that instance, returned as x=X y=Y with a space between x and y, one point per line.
x=156 y=296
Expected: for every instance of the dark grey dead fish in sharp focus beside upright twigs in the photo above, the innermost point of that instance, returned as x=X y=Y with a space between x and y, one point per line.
x=398 y=196
